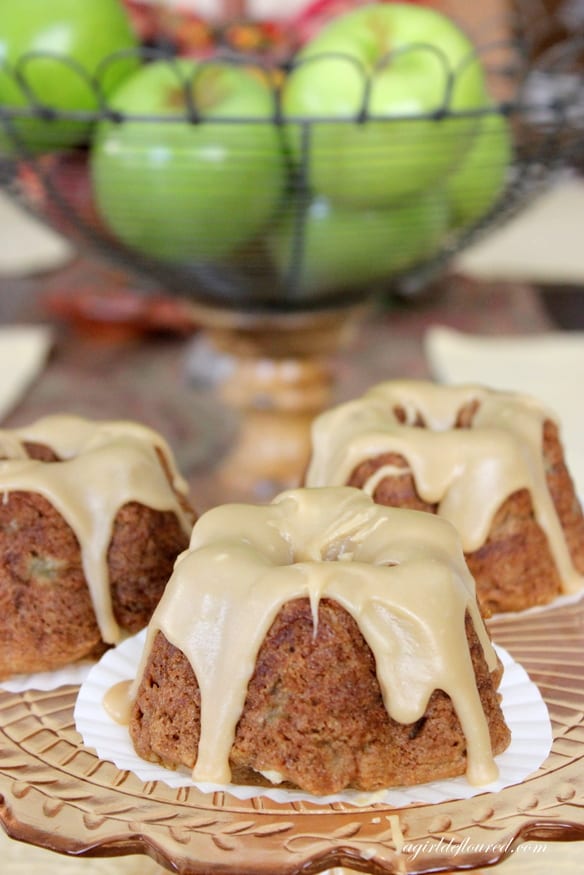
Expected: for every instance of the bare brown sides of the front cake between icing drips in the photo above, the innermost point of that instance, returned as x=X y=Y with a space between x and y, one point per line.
x=314 y=711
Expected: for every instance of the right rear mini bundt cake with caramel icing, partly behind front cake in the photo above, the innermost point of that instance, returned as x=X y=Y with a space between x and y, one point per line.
x=490 y=462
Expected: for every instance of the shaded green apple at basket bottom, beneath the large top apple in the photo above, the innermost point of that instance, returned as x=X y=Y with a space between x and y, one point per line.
x=330 y=248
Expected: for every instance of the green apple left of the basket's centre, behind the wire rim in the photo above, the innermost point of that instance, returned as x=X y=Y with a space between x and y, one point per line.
x=188 y=191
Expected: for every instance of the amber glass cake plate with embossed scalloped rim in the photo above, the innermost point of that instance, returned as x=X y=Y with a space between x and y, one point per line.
x=57 y=794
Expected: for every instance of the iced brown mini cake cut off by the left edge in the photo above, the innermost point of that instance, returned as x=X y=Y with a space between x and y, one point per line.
x=92 y=518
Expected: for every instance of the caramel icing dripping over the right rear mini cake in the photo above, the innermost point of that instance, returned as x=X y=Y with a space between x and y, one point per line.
x=467 y=472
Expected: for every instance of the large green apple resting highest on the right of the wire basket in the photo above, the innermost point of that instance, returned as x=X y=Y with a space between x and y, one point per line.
x=401 y=64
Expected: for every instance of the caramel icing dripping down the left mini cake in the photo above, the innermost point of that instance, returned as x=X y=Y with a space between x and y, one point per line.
x=104 y=466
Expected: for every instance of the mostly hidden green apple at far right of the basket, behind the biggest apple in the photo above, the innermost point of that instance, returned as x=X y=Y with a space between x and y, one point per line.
x=474 y=186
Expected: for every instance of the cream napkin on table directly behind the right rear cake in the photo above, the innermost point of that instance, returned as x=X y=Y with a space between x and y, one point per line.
x=550 y=367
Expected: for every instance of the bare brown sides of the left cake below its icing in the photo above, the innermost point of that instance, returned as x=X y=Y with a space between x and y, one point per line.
x=48 y=618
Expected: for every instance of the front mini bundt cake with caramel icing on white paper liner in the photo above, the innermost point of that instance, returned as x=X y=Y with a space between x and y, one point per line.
x=321 y=642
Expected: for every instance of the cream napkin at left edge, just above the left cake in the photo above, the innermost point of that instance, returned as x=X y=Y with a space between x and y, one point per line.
x=23 y=353
